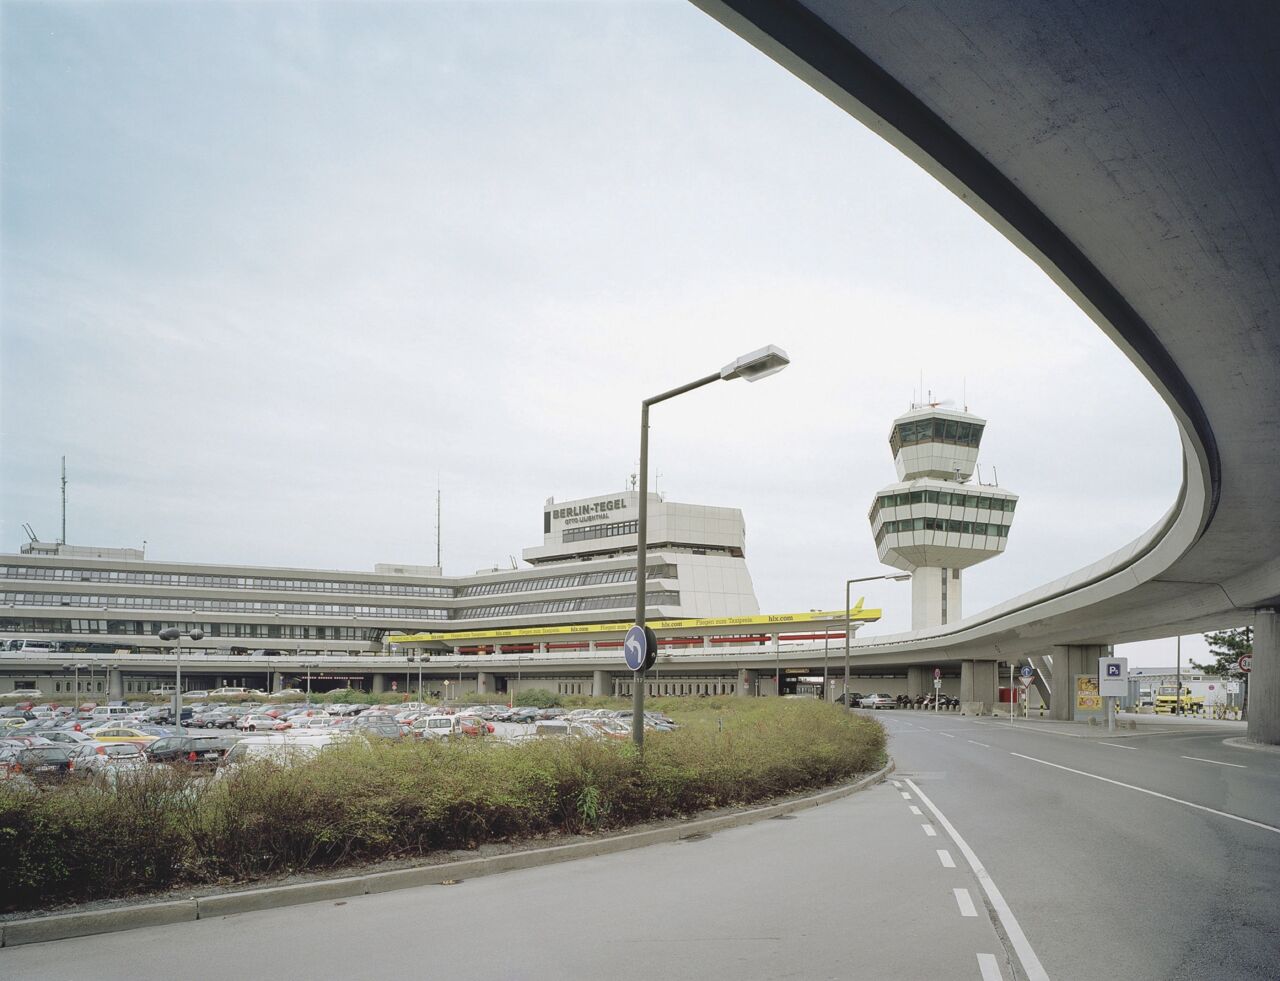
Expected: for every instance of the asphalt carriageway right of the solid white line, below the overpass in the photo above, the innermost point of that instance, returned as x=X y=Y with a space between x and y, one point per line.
x=1149 y=855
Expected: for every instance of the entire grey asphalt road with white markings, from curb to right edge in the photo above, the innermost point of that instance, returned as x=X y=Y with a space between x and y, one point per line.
x=996 y=851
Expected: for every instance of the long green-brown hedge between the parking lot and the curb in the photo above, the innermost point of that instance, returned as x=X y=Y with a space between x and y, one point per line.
x=368 y=801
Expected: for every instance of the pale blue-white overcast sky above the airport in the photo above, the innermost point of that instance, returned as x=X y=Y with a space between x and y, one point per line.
x=273 y=272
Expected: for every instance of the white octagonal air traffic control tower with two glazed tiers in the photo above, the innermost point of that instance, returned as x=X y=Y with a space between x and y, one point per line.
x=935 y=522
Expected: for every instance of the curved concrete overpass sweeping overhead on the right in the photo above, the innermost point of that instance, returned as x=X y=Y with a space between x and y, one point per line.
x=1132 y=152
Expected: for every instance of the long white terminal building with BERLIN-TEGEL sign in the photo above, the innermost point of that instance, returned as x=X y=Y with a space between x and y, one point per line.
x=84 y=600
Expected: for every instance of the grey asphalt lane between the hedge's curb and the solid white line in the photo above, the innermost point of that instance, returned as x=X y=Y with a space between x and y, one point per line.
x=868 y=887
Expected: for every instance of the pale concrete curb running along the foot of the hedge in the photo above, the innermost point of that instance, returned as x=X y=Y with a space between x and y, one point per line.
x=65 y=927
